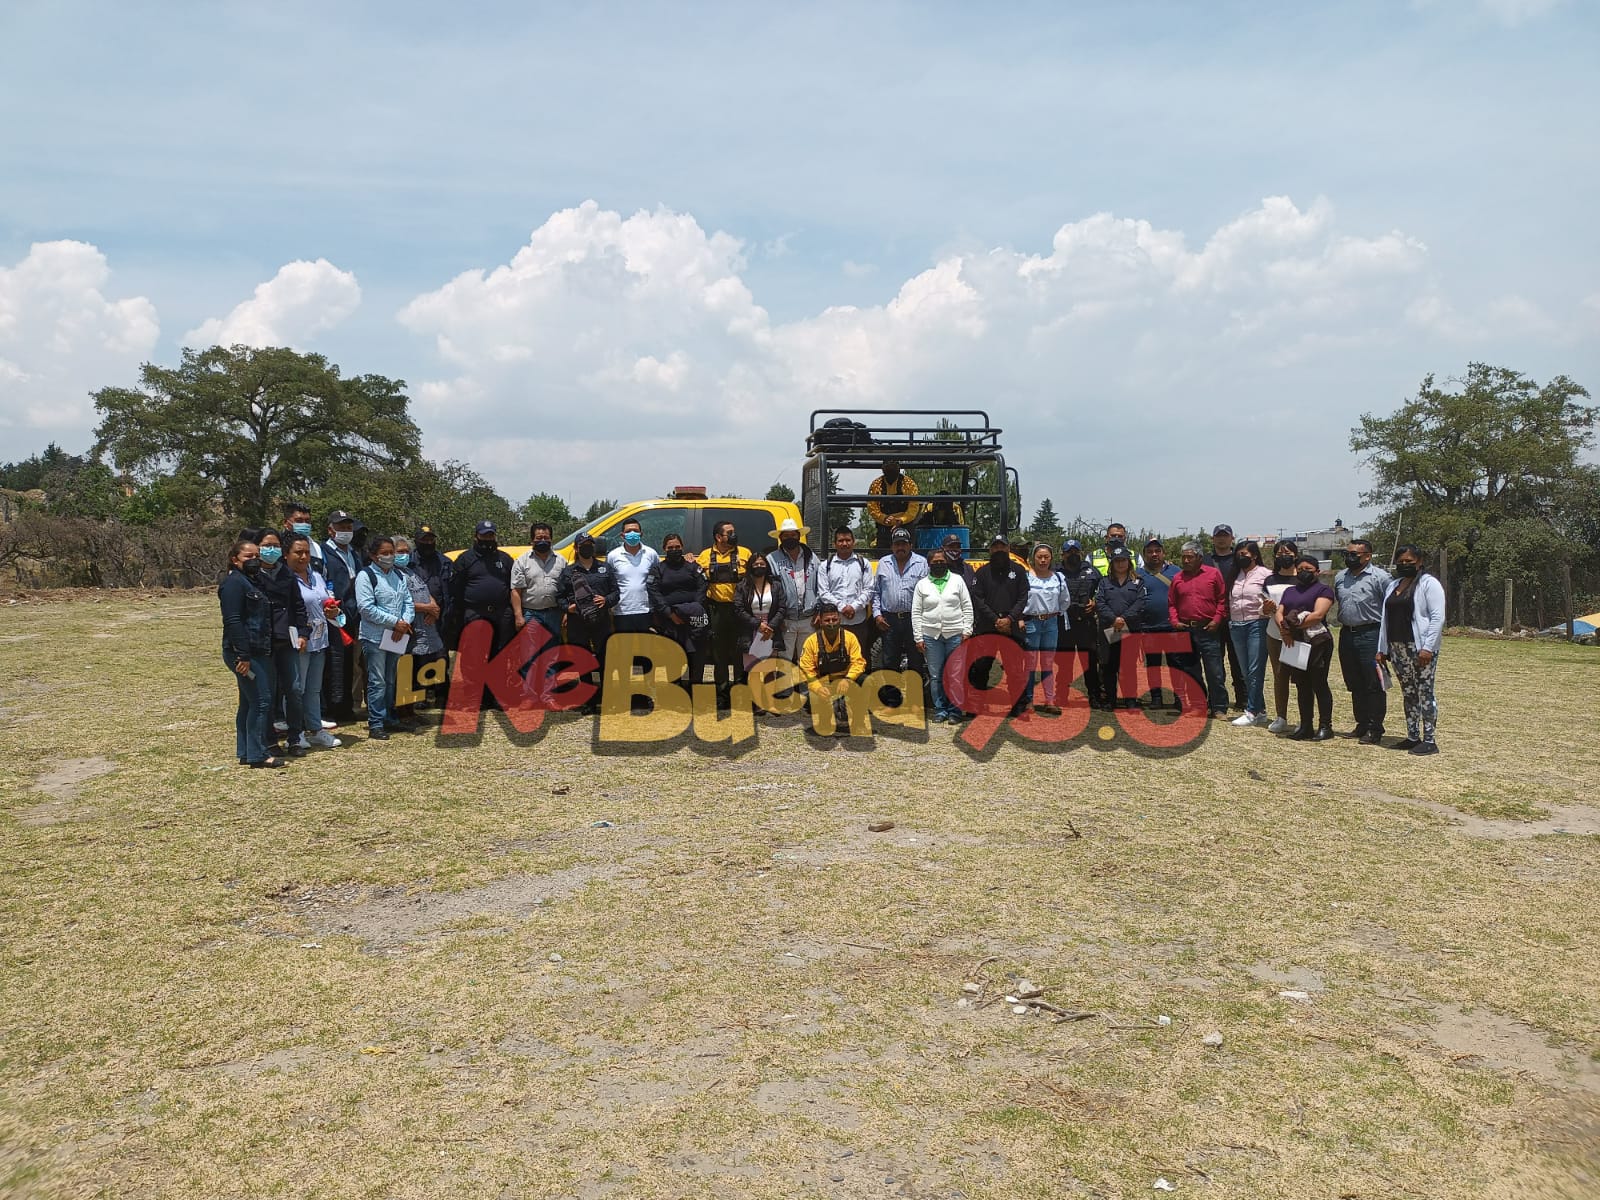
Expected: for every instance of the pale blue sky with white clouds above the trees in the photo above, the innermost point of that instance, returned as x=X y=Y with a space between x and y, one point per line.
x=889 y=183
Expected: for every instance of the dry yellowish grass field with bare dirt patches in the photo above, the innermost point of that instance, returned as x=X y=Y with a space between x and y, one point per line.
x=423 y=970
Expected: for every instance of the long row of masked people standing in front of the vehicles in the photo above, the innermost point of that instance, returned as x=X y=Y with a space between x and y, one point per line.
x=295 y=612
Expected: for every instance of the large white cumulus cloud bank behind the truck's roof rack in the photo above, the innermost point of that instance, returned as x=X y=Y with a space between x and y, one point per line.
x=639 y=334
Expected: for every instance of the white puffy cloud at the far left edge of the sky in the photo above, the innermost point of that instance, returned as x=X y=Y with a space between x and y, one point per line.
x=60 y=340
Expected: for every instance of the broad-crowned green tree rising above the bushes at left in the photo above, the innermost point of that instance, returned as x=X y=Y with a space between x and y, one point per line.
x=250 y=428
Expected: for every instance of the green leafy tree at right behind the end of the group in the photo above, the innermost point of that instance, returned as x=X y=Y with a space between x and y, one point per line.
x=1487 y=470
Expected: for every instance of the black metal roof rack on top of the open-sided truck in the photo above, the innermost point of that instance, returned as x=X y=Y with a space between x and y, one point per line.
x=863 y=438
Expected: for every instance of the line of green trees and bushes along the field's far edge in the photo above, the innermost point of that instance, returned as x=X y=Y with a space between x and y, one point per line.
x=1490 y=473
